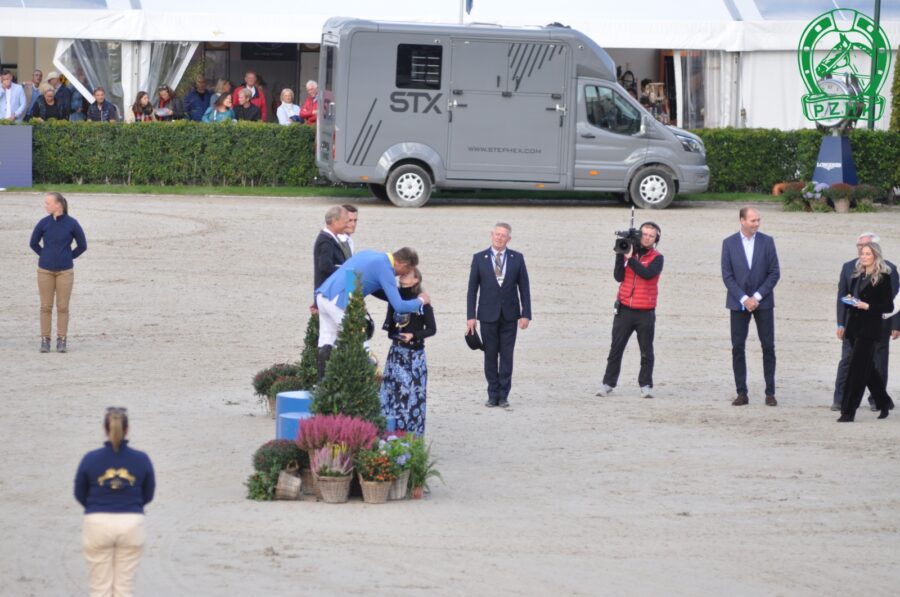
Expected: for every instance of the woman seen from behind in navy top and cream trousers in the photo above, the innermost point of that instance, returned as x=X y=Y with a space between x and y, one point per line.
x=114 y=484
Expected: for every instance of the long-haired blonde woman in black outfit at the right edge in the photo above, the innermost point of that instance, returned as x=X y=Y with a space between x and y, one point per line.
x=871 y=298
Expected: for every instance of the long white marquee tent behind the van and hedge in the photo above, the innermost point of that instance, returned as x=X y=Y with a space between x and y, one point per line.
x=737 y=66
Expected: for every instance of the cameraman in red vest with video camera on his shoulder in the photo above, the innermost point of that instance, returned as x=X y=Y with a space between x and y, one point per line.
x=638 y=273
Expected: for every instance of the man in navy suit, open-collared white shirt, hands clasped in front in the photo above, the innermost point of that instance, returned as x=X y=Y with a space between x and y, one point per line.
x=750 y=272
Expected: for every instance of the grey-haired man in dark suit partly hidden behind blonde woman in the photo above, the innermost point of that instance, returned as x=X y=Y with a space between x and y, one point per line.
x=847 y=285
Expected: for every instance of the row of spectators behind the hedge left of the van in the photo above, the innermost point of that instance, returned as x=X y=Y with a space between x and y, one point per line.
x=57 y=99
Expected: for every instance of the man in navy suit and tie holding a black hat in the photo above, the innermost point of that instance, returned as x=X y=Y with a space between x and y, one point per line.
x=499 y=281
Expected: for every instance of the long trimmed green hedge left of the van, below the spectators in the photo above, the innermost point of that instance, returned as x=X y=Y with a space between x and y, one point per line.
x=243 y=153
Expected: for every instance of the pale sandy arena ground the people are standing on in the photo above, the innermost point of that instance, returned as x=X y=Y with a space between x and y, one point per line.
x=180 y=300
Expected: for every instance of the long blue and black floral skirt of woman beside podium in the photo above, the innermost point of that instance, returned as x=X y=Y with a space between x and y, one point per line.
x=403 y=388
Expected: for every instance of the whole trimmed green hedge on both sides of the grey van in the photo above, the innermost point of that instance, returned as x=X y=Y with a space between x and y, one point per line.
x=254 y=154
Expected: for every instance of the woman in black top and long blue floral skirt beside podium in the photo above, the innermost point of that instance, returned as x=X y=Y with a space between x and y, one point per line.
x=405 y=372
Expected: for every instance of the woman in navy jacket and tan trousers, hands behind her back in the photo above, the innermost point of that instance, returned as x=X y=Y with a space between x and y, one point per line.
x=56 y=272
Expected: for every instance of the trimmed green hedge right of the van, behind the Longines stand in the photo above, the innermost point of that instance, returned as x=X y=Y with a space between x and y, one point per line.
x=753 y=160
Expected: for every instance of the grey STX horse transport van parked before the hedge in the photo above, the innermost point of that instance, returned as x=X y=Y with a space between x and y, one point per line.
x=406 y=108
